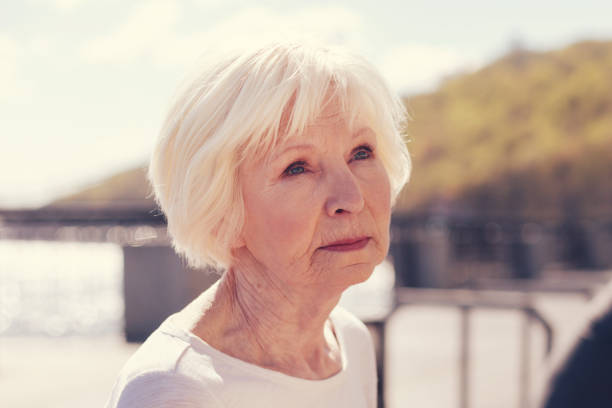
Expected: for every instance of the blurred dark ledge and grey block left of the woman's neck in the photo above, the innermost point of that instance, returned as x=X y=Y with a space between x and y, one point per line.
x=156 y=282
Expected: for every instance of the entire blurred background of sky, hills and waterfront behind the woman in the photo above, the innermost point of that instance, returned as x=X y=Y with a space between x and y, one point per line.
x=500 y=242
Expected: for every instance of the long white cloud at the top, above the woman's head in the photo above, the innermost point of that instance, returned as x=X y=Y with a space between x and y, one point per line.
x=152 y=31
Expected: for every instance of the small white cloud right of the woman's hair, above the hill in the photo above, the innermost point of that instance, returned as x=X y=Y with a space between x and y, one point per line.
x=417 y=68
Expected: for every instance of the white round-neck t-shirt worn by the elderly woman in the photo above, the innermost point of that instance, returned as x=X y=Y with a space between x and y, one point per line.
x=175 y=368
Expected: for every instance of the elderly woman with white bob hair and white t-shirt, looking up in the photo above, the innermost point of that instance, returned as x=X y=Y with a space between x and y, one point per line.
x=279 y=165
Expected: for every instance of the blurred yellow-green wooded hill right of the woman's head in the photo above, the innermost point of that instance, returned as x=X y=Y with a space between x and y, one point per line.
x=528 y=135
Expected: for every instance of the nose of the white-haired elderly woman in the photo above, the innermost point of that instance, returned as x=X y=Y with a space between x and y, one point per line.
x=344 y=194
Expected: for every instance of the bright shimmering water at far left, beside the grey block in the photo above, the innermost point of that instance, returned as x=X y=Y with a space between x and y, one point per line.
x=58 y=288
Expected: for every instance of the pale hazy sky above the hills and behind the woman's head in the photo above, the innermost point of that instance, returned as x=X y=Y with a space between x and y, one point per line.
x=85 y=84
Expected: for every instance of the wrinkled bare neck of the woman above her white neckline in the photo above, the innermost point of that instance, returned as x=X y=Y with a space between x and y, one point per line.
x=267 y=322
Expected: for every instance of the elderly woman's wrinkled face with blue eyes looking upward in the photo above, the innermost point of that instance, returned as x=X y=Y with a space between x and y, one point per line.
x=318 y=208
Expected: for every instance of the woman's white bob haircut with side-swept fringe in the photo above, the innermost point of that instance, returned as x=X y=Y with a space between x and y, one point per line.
x=241 y=106
